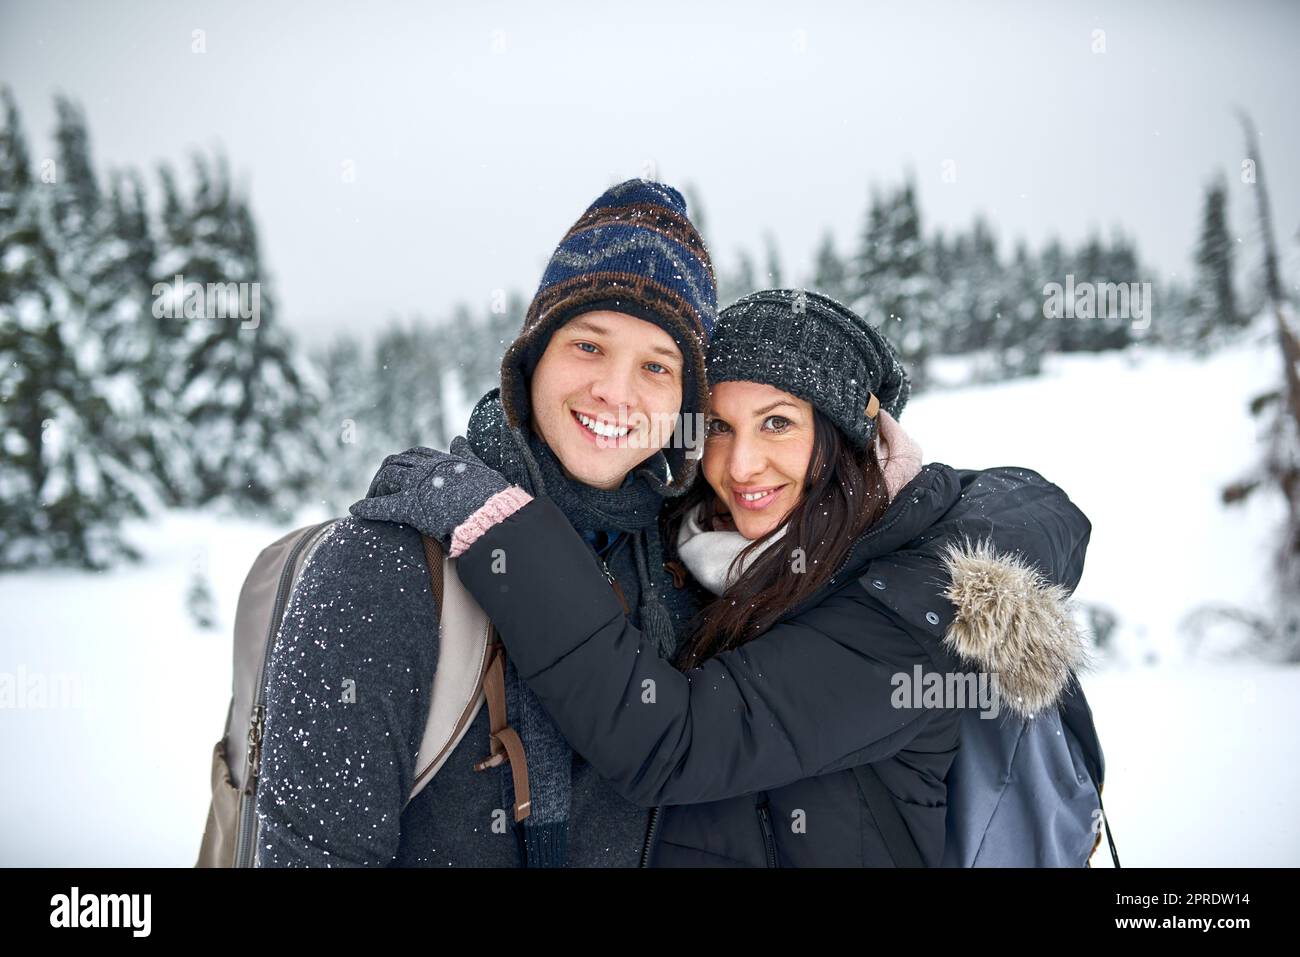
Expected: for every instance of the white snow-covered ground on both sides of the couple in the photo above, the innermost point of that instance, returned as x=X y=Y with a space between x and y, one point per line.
x=1203 y=757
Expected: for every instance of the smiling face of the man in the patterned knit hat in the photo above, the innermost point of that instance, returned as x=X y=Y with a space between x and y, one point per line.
x=606 y=395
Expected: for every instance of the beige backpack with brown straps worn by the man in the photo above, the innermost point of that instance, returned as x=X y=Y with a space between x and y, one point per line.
x=471 y=670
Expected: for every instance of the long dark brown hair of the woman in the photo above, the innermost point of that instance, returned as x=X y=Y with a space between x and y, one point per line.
x=844 y=495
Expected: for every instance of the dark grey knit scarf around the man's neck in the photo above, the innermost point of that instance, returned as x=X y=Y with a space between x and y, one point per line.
x=526 y=461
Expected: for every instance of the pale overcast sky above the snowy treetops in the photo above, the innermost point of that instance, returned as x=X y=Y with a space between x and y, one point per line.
x=478 y=137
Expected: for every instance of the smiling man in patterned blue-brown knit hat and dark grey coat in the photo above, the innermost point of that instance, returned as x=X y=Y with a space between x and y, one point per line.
x=613 y=347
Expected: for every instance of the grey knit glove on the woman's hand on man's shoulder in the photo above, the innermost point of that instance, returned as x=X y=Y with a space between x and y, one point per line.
x=435 y=492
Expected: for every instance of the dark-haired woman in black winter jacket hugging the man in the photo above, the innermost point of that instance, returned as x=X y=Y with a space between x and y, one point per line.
x=813 y=718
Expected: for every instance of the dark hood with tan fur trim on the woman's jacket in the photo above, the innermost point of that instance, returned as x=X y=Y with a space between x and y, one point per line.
x=986 y=562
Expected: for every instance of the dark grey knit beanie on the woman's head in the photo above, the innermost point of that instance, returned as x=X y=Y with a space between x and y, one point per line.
x=814 y=348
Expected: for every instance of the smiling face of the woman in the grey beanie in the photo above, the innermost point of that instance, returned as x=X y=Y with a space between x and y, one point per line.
x=757 y=452
